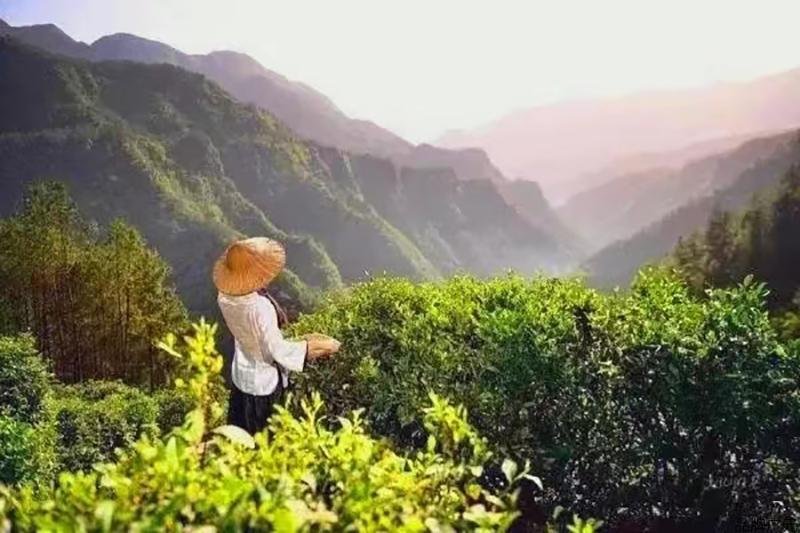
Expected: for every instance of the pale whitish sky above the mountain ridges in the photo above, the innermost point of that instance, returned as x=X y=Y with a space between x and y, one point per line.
x=421 y=67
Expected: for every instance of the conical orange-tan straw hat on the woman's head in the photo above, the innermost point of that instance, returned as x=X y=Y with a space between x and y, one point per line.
x=248 y=265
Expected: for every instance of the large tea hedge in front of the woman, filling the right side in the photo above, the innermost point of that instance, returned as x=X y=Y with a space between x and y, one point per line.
x=650 y=407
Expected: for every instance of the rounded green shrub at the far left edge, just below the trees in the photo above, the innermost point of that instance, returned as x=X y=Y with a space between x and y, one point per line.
x=24 y=379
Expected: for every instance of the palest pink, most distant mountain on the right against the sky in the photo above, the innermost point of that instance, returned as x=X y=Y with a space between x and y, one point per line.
x=558 y=143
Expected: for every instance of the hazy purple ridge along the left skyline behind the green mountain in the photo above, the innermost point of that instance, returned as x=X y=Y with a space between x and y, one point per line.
x=307 y=112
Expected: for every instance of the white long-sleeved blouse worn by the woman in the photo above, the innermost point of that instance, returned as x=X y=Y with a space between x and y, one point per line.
x=259 y=344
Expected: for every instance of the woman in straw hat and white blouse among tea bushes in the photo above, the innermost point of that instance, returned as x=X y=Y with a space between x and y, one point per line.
x=262 y=357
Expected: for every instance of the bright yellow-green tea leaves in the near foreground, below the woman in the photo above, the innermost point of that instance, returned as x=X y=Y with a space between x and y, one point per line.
x=301 y=476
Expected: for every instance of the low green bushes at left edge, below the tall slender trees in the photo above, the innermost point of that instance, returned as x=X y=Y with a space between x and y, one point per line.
x=47 y=427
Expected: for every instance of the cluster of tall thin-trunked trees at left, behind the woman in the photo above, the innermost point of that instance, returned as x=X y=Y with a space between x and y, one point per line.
x=94 y=303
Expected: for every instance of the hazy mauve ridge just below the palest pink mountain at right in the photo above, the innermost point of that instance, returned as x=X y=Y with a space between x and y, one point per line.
x=620 y=208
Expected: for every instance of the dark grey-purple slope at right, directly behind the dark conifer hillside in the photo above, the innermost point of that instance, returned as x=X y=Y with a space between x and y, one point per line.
x=616 y=264
